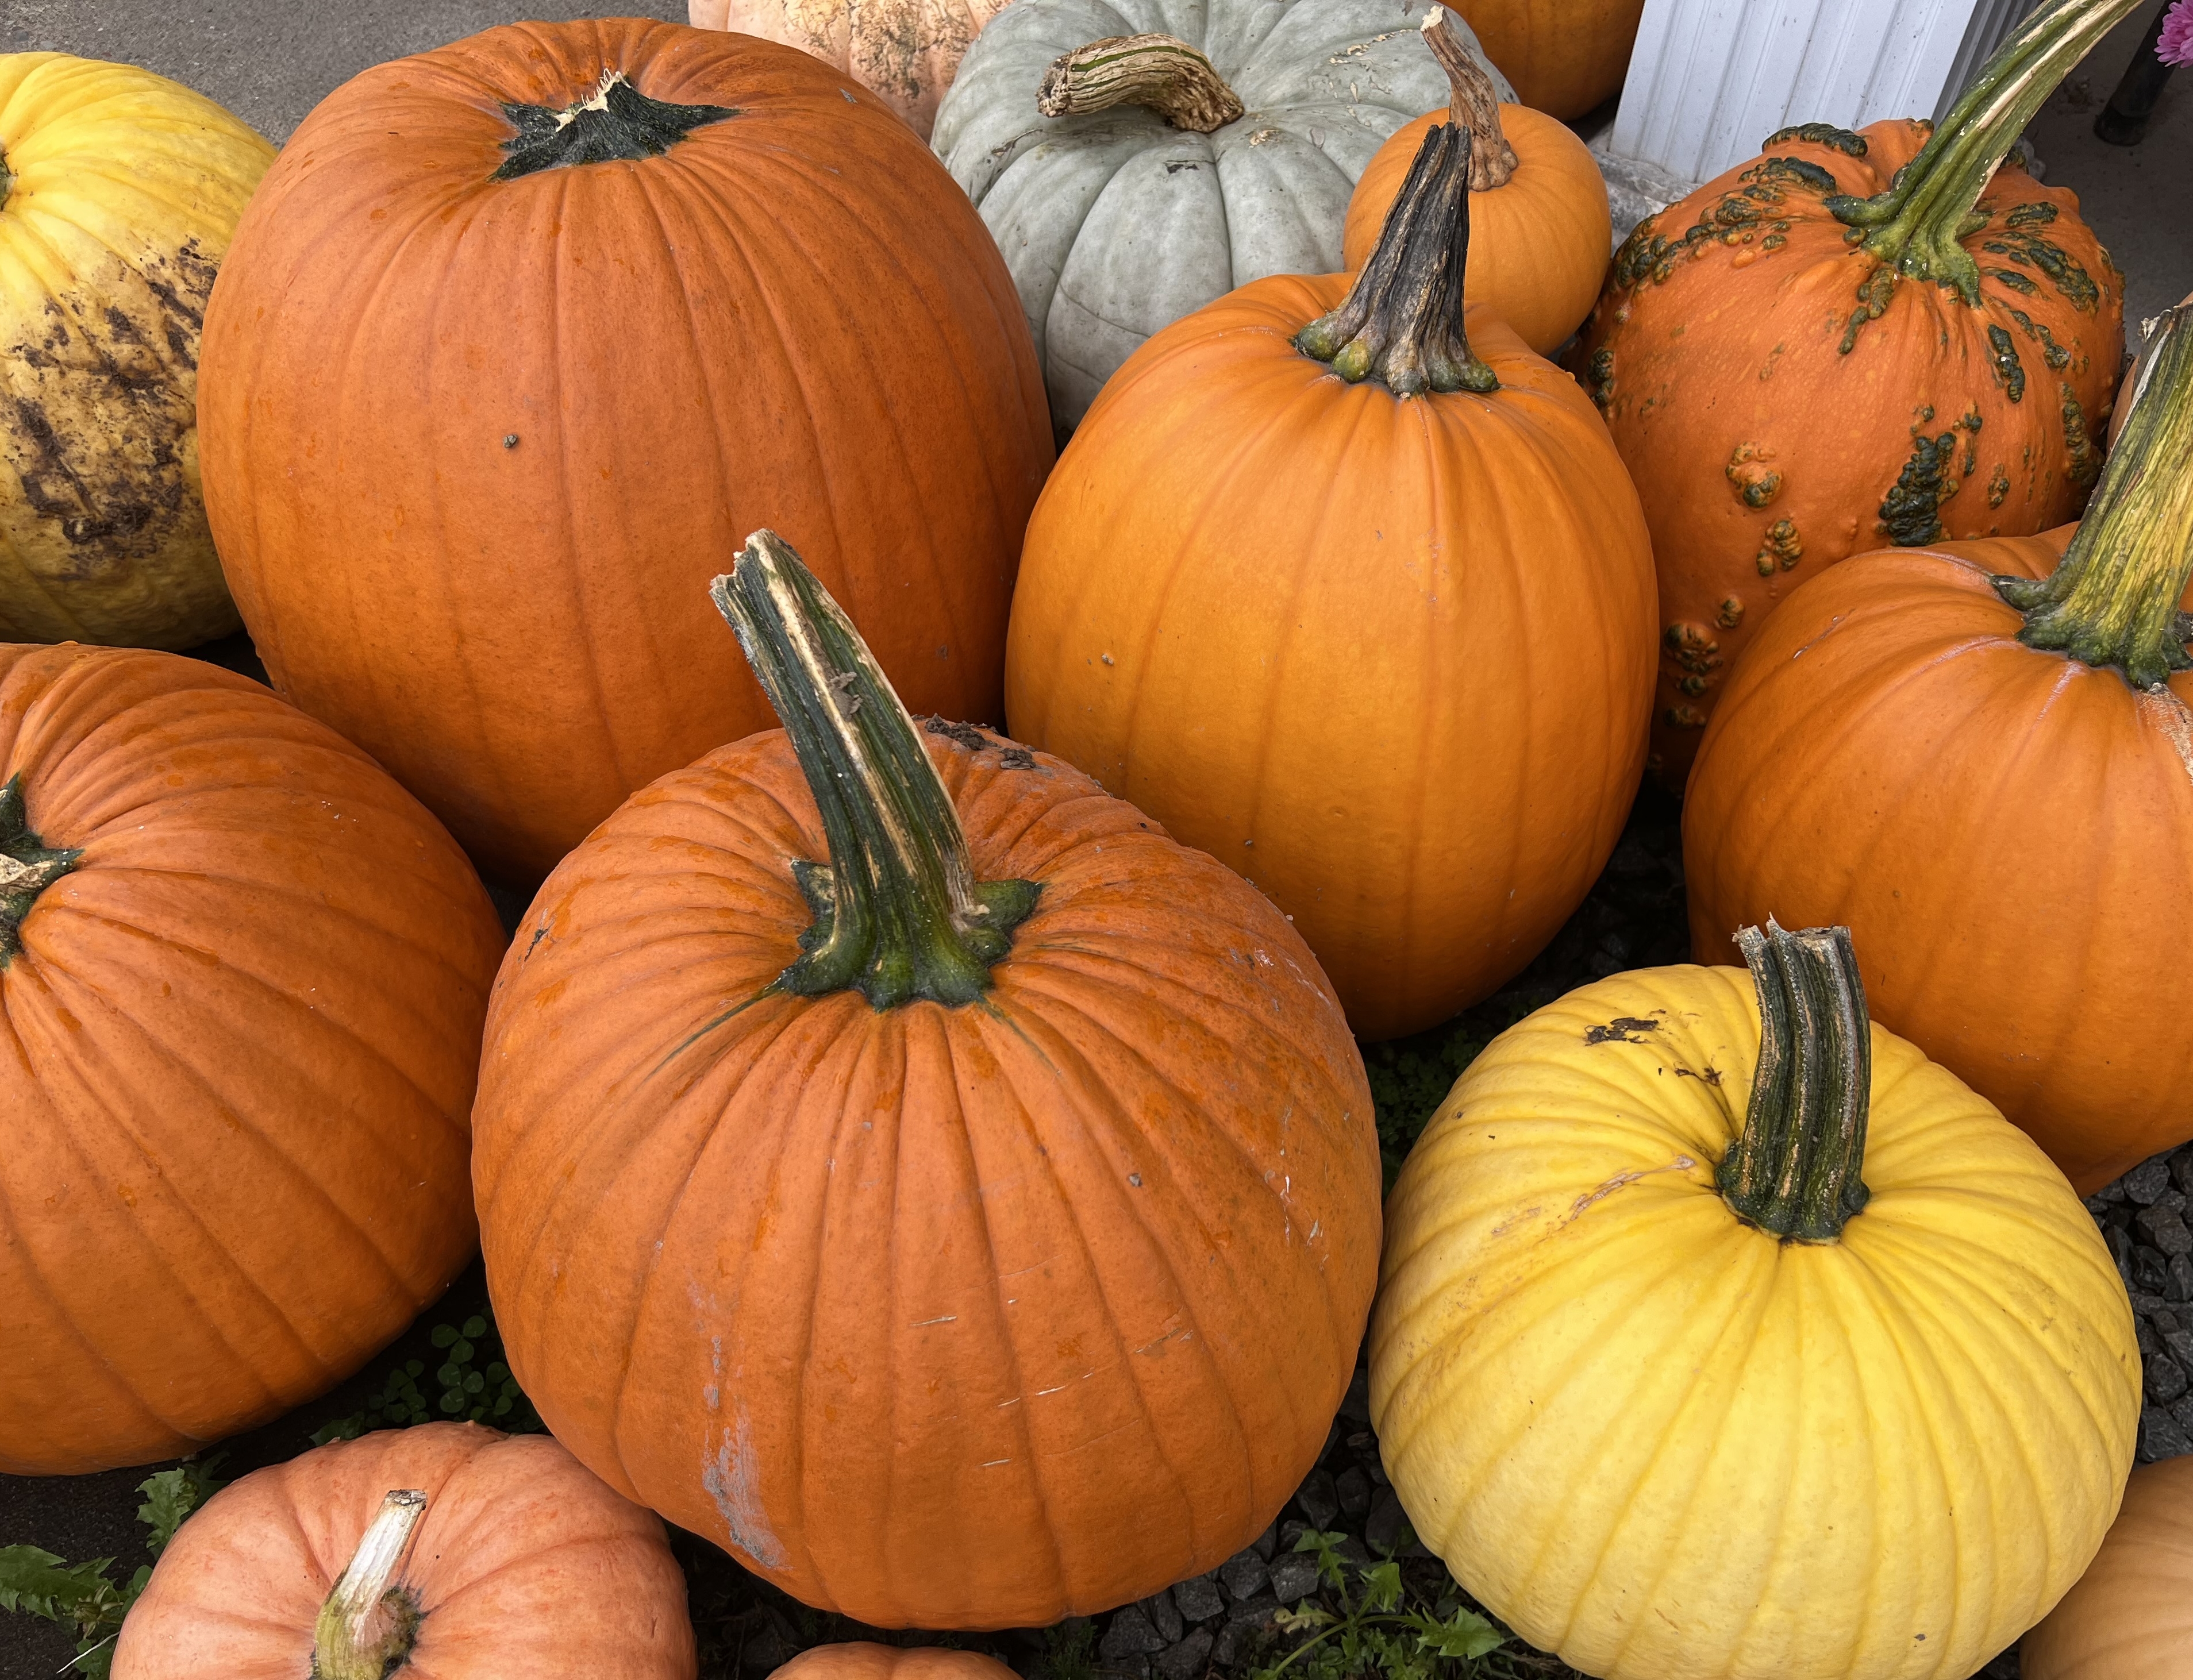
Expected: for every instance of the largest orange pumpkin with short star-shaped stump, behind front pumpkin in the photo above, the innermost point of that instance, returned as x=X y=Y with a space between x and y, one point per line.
x=488 y=396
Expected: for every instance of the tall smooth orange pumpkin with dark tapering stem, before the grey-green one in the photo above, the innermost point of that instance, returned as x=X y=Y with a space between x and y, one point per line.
x=1383 y=644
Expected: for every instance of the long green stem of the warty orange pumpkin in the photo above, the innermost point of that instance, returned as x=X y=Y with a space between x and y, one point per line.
x=1920 y=223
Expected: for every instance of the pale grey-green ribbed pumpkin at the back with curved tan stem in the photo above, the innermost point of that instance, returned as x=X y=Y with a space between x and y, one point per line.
x=1115 y=223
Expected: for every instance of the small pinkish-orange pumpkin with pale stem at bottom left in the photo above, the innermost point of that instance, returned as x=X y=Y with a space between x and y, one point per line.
x=448 y=1552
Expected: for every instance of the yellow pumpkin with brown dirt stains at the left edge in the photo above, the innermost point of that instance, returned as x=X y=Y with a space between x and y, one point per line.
x=120 y=192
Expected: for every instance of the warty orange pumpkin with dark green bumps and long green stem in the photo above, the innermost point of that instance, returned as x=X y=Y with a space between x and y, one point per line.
x=1968 y=370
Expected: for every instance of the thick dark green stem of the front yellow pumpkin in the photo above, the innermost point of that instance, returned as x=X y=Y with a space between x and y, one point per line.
x=1795 y=1170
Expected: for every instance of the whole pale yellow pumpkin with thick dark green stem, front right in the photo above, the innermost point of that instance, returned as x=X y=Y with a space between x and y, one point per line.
x=1828 y=1385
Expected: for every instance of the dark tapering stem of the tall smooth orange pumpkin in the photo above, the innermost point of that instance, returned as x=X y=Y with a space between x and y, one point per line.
x=1402 y=321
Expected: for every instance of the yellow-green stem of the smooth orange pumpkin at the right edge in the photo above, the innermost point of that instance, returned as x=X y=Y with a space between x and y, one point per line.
x=2113 y=602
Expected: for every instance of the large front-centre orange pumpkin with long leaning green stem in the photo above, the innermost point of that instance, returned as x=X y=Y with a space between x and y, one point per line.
x=962 y=1227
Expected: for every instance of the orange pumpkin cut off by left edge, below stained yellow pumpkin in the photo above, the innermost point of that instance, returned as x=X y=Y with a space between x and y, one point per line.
x=245 y=979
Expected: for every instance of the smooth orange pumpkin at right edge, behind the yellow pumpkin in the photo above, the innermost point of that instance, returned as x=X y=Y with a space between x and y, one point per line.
x=1988 y=799
